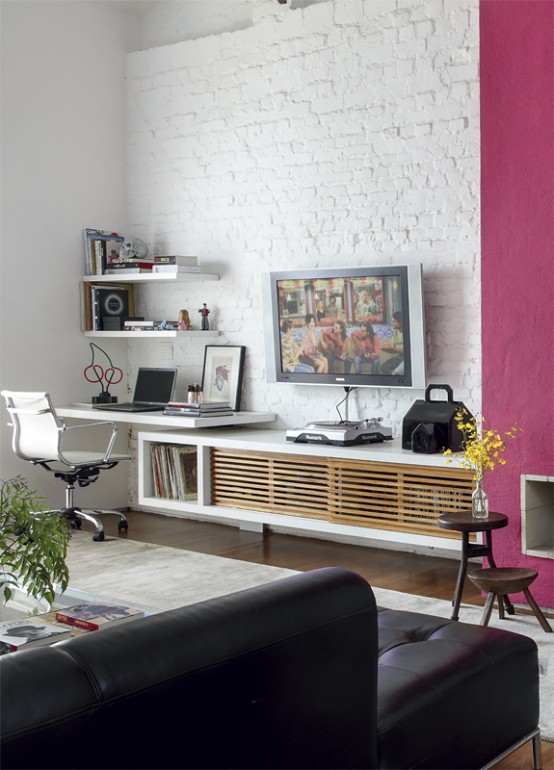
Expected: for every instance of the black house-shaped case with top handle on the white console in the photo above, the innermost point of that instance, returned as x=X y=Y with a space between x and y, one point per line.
x=429 y=426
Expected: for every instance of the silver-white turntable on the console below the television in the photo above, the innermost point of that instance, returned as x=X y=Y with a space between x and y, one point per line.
x=341 y=432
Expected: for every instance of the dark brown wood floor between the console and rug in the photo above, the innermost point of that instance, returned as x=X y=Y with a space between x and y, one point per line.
x=407 y=572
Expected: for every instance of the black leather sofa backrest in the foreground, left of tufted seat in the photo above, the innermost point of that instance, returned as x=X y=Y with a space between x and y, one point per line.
x=282 y=675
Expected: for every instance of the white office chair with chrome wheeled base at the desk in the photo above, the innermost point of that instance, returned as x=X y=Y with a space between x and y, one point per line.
x=38 y=435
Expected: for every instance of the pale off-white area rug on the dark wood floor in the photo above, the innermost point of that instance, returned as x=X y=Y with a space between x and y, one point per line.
x=166 y=578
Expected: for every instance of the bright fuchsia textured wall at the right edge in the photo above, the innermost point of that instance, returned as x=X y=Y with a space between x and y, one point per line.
x=517 y=216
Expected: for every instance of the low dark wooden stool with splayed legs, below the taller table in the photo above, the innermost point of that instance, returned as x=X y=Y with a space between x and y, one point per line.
x=502 y=581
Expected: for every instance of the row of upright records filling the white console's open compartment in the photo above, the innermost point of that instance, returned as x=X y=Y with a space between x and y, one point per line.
x=174 y=471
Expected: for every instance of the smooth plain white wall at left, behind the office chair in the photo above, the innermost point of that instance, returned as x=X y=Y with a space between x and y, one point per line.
x=63 y=169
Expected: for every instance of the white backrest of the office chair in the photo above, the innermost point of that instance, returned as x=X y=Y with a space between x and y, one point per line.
x=36 y=426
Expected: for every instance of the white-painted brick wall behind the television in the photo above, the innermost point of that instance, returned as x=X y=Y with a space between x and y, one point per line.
x=344 y=133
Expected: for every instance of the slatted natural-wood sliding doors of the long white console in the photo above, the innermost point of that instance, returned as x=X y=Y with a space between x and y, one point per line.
x=379 y=494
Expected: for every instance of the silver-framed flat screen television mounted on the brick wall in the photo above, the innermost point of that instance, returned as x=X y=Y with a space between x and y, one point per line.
x=356 y=327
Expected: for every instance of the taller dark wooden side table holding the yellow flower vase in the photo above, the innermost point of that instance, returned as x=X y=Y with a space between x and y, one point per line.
x=464 y=522
